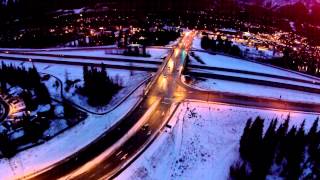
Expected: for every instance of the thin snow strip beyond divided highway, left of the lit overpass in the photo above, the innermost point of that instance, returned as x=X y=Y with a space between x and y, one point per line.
x=154 y=52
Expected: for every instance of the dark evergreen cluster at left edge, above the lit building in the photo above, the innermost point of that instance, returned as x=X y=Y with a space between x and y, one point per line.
x=27 y=79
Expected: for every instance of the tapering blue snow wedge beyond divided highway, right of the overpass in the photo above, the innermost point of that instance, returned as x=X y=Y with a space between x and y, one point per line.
x=239 y=64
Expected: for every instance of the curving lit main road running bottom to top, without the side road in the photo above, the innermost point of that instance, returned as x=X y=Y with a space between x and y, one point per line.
x=159 y=89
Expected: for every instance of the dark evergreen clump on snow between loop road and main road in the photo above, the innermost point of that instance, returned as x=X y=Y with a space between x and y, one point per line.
x=98 y=86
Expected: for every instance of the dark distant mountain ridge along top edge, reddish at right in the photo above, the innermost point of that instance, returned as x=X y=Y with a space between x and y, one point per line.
x=301 y=9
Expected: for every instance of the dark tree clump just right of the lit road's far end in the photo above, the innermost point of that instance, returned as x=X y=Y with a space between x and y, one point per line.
x=220 y=45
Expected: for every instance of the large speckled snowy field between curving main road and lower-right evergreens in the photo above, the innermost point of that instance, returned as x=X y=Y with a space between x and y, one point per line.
x=203 y=143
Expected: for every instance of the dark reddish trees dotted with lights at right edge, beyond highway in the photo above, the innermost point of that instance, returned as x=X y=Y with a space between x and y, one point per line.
x=303 y=60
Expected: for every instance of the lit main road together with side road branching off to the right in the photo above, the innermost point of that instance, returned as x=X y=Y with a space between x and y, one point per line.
x=167 y=89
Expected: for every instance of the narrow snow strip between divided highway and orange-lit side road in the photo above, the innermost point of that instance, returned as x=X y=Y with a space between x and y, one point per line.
x=255 y=90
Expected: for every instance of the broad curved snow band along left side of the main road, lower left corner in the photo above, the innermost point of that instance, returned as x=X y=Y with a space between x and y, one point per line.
x=65 y=144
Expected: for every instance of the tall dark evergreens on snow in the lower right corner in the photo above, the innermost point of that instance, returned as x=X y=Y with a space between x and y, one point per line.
x=280 y=152
